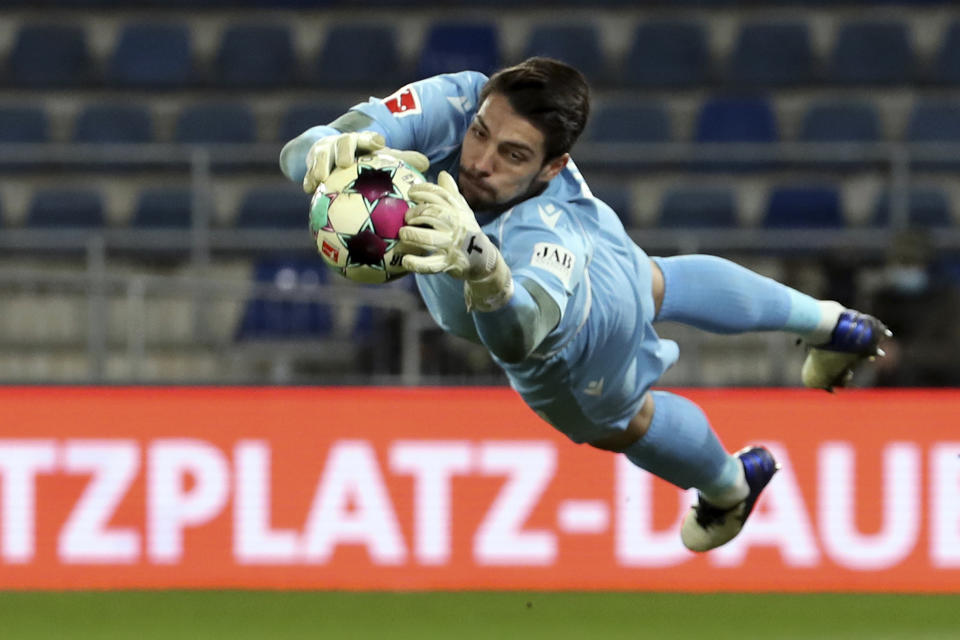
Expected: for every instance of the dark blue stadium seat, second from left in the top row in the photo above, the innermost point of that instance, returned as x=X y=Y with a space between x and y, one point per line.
x=149 y=55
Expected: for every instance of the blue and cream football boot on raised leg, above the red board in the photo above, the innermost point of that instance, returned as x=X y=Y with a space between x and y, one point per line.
x=855 y=338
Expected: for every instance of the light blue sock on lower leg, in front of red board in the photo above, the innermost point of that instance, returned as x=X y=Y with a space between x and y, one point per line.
x=681 y=447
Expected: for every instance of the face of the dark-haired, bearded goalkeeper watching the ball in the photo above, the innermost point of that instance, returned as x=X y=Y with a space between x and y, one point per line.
x=502 y=158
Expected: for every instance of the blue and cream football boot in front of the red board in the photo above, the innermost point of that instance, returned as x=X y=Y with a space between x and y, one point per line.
x=707 y=526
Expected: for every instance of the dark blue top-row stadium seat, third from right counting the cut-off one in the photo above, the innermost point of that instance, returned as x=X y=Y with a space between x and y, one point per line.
x=772 y=54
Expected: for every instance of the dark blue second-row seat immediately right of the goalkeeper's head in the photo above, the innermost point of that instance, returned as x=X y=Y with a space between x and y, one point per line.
x=629 y=121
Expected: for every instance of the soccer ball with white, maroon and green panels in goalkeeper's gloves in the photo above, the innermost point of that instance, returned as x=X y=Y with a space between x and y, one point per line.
x=356 y=213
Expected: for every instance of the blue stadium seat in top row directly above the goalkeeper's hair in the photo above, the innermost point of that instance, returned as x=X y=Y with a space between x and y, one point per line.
x=577 y=45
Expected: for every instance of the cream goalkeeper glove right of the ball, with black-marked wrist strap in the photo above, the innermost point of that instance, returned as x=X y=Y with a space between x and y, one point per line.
x=442 y=226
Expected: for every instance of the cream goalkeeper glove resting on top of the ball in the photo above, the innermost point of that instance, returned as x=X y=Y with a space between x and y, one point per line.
x=341 y=150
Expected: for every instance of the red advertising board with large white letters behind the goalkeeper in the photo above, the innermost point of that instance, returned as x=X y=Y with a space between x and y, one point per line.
x=363 y=488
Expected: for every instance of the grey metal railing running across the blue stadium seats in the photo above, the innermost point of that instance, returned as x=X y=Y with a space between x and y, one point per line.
x=97 y=282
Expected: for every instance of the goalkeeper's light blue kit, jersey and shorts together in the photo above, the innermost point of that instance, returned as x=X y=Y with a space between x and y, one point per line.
x=590 y=374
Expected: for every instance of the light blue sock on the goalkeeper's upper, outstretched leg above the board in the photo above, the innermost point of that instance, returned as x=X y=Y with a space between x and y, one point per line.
x=720 y=296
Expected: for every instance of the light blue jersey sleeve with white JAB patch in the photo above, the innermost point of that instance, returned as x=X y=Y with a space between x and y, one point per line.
x=542 y=241
